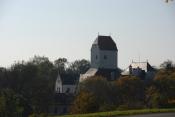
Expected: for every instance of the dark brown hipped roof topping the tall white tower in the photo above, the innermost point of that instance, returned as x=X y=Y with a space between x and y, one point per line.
x=105 y=43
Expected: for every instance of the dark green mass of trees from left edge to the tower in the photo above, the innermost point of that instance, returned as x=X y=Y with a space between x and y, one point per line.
x=27 y=87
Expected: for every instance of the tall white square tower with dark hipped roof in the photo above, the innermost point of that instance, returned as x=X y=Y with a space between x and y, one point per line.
x=104 y=53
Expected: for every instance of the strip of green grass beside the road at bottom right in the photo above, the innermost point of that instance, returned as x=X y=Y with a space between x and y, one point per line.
x=120 y=113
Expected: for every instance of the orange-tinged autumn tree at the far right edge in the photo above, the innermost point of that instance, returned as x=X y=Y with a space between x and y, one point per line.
x=161 y=92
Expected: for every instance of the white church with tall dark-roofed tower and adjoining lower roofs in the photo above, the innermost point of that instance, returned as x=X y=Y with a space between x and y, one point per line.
x=104 y=59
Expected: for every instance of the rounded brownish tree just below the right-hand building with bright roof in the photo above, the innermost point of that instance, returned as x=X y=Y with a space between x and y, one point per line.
x=130 y=91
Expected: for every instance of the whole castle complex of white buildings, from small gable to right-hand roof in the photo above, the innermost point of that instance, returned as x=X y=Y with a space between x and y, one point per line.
x=104 y=62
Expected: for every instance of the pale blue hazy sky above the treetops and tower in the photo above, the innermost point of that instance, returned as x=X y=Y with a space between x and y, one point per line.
x=142 y=29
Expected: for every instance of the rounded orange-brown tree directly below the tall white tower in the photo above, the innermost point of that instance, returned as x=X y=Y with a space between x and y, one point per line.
x=103 y=92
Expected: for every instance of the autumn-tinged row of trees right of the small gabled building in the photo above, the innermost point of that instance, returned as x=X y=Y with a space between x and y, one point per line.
x=127 y=92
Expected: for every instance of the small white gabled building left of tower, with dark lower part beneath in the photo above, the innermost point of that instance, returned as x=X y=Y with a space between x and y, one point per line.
x=65 y=90
